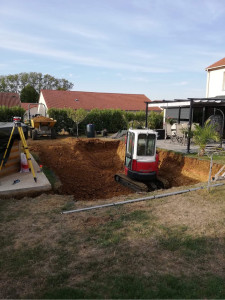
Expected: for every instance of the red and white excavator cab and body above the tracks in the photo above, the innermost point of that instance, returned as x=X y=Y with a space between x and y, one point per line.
x=141 y=159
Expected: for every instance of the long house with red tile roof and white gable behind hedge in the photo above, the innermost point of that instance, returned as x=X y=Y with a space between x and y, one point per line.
x=91 y=100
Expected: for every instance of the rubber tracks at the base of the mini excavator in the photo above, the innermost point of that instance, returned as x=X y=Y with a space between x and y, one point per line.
x=138 y=186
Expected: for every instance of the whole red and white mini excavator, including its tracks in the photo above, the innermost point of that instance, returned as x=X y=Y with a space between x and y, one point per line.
x=141 y=162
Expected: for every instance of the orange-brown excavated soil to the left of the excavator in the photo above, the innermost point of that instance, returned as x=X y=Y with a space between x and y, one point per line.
x=86 y=167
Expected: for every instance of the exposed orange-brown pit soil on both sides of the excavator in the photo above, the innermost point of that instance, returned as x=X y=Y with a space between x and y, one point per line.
x=86 y=167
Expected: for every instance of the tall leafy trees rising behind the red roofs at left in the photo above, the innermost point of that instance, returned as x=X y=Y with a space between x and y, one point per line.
x=17 y=82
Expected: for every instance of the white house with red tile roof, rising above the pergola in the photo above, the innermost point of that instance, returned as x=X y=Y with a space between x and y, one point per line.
x=215 y=85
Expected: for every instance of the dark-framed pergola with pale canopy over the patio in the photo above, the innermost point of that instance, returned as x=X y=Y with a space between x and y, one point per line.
x=190 y=110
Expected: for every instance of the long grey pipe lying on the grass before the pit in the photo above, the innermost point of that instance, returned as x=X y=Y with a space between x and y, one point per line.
x=139 y=199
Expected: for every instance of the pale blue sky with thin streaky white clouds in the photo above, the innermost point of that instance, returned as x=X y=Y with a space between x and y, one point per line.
x=159 y=48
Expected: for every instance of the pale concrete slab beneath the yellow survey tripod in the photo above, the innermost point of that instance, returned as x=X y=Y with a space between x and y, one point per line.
x=25 y=185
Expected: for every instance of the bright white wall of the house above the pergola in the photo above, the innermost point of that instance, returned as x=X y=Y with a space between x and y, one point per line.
x=215 y=83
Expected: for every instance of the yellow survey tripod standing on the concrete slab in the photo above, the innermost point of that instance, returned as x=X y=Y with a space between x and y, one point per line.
x=17 y=124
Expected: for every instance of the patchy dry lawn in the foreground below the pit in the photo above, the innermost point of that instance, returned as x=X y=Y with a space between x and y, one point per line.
x=172 y=247
